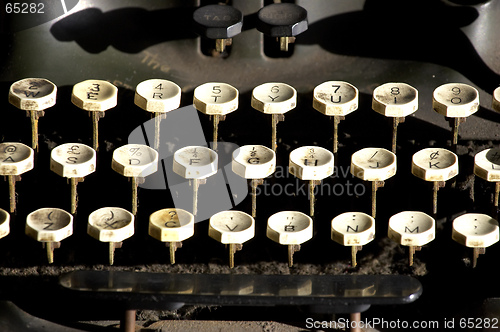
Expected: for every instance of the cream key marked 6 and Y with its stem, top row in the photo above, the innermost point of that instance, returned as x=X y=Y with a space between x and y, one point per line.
x=275 y=99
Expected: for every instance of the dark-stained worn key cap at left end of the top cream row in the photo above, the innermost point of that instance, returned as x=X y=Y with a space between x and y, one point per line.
x=33 y=94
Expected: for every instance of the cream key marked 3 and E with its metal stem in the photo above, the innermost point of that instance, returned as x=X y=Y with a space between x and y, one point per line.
x=95 y=96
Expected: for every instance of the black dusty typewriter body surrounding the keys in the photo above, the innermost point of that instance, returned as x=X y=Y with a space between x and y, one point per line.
x=366 y=43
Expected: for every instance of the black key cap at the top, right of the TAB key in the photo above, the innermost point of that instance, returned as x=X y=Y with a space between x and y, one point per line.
x=282 y=20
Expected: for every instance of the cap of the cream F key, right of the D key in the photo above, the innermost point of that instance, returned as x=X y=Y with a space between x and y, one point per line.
x=195 y=162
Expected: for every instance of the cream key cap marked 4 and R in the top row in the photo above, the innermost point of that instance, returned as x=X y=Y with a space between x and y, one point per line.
x=157 y=96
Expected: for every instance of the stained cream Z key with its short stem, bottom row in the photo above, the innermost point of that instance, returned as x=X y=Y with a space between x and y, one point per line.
x=49 y=226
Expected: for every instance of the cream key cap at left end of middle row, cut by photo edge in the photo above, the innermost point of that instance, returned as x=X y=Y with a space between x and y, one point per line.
x=15 y=158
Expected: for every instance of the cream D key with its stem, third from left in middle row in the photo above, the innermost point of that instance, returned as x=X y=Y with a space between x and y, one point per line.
x=135 y=161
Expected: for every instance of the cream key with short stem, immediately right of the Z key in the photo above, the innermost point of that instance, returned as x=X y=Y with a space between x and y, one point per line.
x=113 y=225
